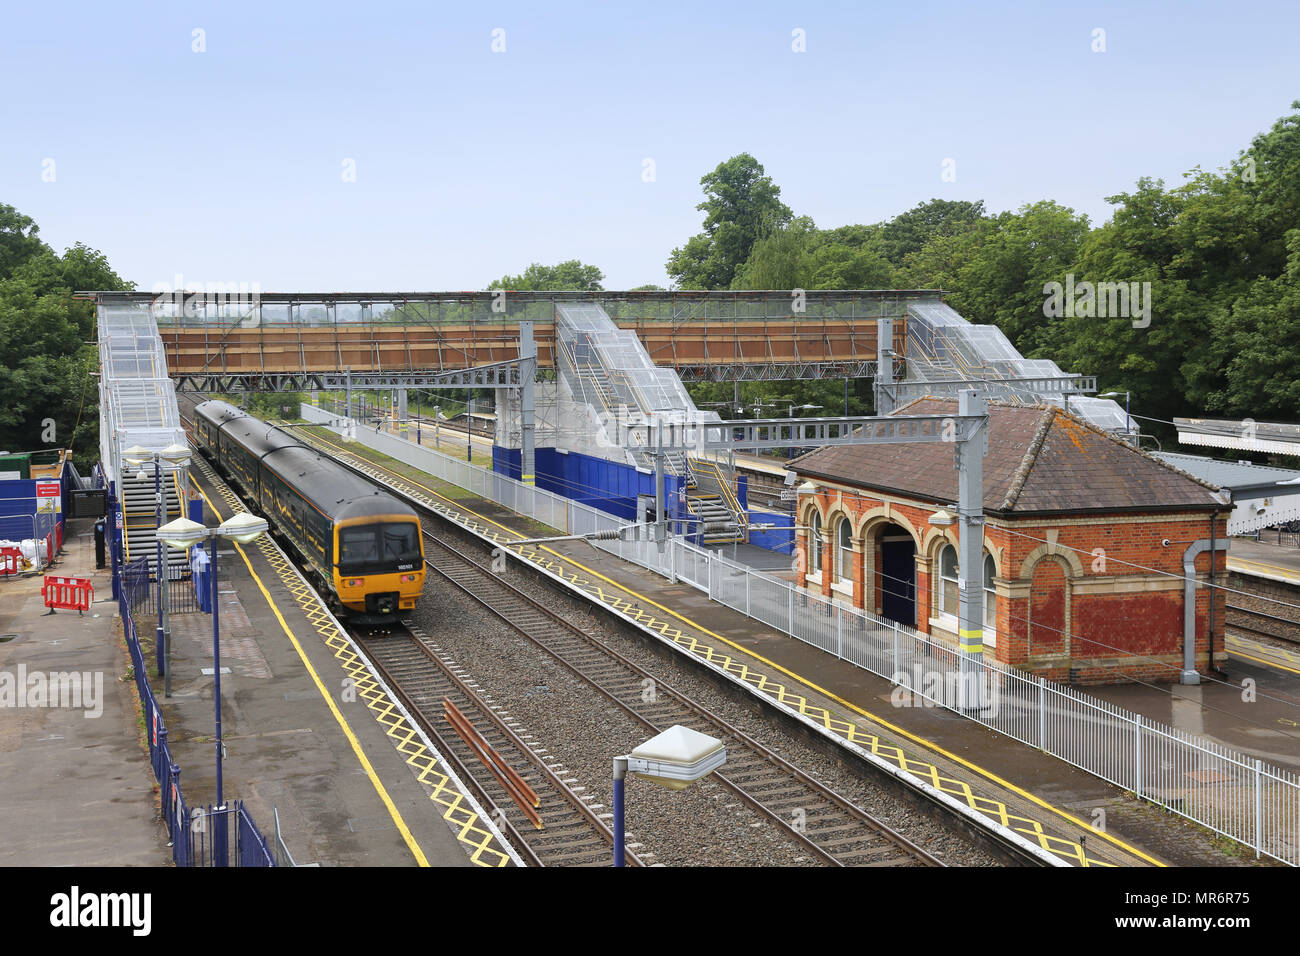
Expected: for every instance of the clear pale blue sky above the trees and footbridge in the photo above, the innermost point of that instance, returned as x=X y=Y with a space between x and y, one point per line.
x=227 y=166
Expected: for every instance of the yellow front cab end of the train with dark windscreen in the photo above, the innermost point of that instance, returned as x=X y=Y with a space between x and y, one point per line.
x=380 y=568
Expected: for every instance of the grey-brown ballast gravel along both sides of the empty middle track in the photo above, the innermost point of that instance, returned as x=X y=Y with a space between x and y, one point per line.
x=704 y=825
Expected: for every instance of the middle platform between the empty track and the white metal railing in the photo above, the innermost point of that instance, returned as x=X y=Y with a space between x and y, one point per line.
x=1046 y=801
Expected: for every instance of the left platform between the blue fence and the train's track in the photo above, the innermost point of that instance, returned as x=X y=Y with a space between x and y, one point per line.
x=300 y=721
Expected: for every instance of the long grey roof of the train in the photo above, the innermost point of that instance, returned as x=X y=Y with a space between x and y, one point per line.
x=332 y=488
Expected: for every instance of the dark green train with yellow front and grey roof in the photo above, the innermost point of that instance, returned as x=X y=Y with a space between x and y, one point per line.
x=361 y=546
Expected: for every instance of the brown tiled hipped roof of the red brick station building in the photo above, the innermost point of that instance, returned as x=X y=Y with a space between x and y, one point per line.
x=1041 y=460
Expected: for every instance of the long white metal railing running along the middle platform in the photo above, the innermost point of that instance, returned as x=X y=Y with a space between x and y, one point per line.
x=1202 y=780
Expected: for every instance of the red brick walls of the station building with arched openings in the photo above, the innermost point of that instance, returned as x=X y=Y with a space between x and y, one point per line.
x=1080 y=598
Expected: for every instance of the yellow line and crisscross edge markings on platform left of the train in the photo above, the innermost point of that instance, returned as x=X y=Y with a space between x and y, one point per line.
x=457 y=811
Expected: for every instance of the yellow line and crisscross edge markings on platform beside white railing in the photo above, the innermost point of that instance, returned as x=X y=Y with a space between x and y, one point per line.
x=842 y=728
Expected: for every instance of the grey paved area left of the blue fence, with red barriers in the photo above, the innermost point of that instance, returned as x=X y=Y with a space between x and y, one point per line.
x=76 y=786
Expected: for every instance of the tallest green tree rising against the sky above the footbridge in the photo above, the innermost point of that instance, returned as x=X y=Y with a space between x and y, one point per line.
x=742 y=205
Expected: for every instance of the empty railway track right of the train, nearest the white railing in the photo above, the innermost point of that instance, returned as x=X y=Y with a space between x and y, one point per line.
x=830 y=828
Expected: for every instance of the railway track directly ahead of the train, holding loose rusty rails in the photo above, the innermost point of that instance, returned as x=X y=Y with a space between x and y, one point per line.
x=422 y=677
